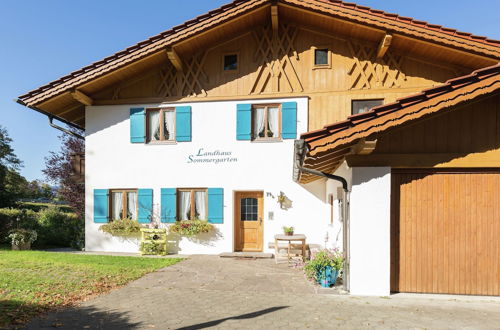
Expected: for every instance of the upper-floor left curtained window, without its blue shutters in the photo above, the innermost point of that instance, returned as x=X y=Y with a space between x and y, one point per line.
x=160 y=125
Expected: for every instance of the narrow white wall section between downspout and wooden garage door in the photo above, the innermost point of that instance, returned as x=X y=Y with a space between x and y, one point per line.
x=370 y=231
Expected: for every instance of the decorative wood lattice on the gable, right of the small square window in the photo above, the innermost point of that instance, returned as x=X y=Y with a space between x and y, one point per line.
x=368 y=72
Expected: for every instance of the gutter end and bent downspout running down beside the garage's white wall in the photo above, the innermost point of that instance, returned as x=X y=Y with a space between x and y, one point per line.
x=300 y=147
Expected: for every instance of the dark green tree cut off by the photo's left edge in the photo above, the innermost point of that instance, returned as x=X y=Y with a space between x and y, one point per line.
x=9 y=167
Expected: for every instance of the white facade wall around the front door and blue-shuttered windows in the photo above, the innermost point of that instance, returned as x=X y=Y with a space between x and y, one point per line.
x=113 y=162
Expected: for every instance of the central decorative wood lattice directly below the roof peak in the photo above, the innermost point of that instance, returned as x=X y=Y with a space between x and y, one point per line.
x=276 y=67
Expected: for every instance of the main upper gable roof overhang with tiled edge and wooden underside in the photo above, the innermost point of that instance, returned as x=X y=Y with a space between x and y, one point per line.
x=65 y=98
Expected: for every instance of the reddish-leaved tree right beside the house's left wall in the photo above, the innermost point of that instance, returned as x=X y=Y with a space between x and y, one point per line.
x=59 y=171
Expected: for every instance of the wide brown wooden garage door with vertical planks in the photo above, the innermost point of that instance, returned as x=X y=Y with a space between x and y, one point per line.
x=446 y=231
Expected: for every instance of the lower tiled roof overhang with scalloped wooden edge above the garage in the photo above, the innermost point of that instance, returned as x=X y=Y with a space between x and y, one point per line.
x=326 y=149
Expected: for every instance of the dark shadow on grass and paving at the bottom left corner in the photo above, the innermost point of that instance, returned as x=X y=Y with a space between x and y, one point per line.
x=84 y=318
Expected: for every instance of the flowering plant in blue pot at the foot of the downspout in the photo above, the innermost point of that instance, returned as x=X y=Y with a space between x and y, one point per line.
x=325 y=266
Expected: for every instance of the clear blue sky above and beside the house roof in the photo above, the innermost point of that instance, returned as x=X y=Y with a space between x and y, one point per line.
x=44 y=40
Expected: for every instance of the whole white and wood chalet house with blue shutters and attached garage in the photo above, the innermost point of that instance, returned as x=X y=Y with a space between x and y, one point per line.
x=345 y=122
